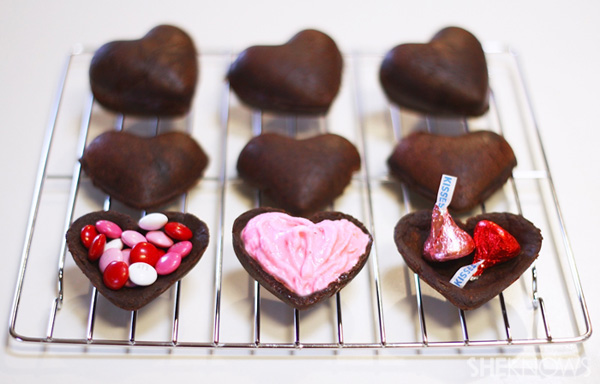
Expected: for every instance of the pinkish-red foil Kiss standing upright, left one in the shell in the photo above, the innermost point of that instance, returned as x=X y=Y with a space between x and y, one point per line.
x=446 y=240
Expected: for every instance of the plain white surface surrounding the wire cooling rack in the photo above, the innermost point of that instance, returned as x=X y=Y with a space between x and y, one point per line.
x=559 y=44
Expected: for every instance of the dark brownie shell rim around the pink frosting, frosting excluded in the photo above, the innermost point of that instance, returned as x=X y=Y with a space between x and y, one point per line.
x=275 y=286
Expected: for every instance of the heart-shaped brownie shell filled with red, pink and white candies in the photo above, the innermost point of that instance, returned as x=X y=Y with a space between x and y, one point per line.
x=132 y=262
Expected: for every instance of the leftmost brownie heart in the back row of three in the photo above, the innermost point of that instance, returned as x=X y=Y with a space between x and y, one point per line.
x=153 y=76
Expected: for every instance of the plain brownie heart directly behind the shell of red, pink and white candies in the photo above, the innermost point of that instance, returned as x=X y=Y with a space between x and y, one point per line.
x=144 y=172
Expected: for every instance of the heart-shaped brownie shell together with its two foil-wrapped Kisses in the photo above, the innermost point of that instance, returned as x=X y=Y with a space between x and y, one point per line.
x=468 y=263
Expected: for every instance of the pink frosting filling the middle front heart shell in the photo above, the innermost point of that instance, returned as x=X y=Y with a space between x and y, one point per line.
x=304 y=256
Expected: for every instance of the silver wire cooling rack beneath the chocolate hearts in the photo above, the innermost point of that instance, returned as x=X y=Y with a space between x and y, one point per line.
x=218 y=307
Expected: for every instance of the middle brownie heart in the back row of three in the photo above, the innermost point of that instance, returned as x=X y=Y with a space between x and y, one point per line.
x=302 y=76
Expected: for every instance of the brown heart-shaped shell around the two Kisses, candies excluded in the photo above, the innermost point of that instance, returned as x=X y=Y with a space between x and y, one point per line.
x=412 y=231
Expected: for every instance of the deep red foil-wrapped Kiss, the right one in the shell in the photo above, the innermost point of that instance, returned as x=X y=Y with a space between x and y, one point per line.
x=493 y=245
